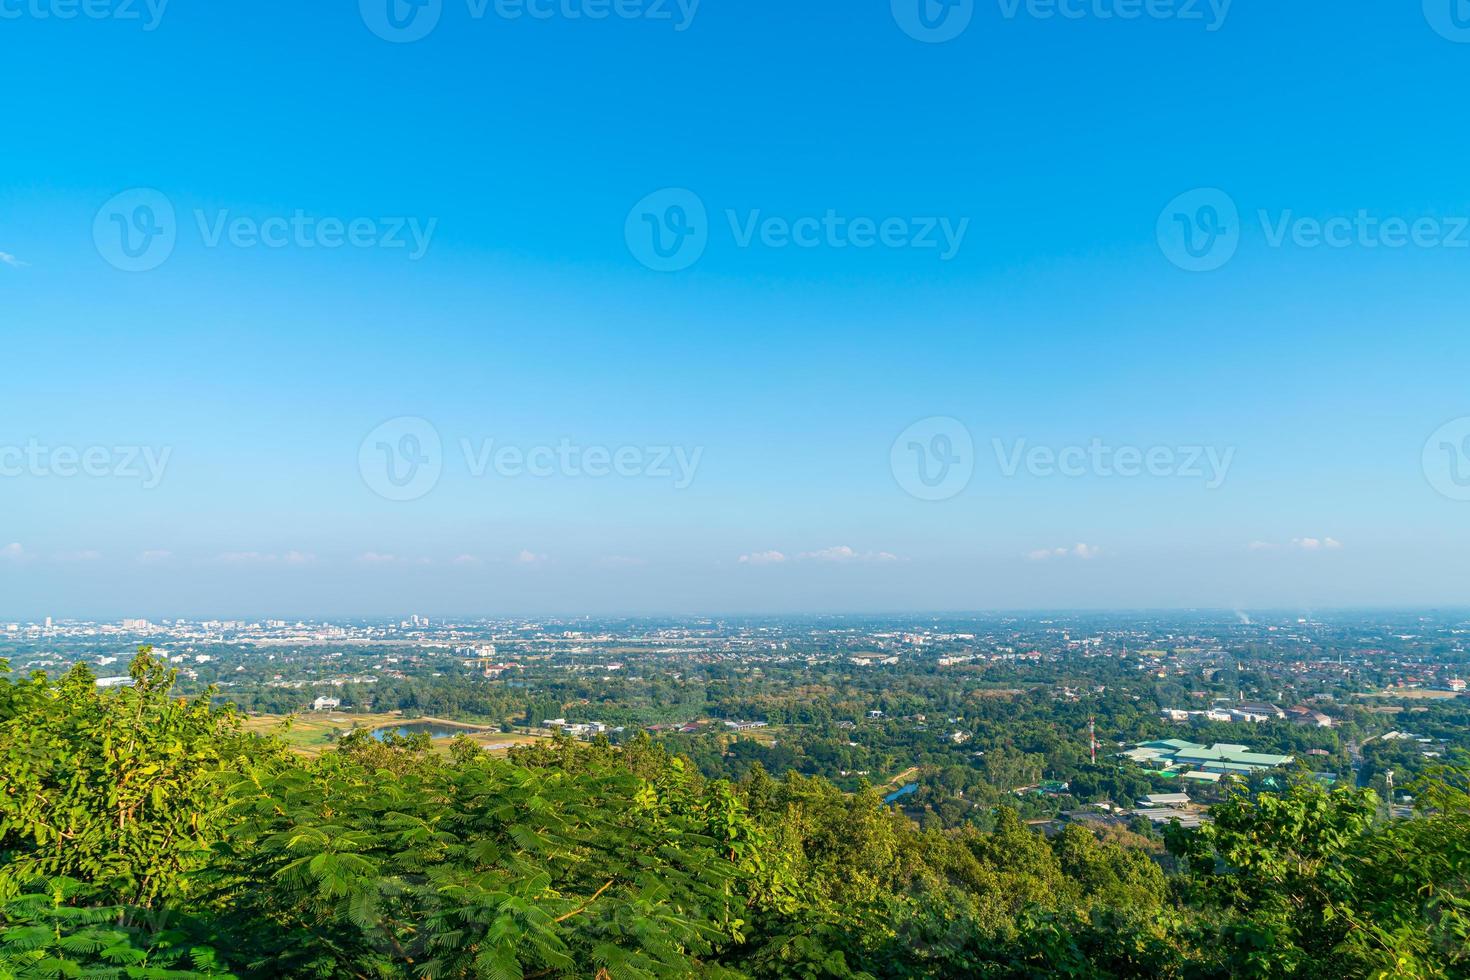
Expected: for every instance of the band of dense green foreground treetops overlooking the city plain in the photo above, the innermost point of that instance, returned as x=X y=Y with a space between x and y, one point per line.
x=148 y=835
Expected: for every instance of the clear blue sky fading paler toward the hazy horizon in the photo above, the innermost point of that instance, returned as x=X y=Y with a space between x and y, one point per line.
x=524 y=152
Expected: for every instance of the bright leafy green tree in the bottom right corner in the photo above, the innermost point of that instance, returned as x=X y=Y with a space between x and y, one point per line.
x=1308 y=884
